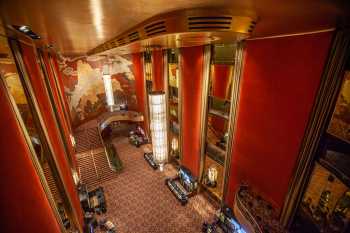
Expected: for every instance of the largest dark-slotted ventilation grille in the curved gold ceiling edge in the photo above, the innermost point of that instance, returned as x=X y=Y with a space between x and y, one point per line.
x=202 y=23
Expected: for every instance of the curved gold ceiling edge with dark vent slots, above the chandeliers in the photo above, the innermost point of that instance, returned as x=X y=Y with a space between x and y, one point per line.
x=181 y=29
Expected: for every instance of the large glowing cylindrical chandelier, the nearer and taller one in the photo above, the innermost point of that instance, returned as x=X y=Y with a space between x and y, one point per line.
x=157 y=108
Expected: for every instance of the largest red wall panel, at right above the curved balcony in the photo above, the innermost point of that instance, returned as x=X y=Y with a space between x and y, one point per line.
x=280 y=80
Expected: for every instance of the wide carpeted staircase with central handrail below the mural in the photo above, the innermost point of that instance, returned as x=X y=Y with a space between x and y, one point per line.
x=94 y=168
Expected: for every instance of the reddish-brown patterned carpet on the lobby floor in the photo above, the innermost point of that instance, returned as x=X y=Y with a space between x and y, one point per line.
x=138 y=201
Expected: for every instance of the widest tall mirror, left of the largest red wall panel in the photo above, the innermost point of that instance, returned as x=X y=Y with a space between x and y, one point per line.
x=218 y=118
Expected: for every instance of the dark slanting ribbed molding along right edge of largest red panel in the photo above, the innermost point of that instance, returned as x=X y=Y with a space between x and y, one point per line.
x=322 y=110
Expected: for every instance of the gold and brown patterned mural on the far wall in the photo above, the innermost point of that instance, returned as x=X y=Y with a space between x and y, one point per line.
x=84 y=88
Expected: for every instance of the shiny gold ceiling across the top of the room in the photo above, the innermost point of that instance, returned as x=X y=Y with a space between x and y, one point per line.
x=77 y=26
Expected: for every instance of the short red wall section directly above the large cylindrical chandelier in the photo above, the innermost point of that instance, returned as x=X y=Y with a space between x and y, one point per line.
x=158 y=70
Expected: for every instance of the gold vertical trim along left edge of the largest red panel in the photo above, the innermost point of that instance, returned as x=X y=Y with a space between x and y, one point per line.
x=237 y=75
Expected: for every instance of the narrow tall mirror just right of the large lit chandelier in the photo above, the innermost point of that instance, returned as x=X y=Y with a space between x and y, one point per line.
x=174 y=105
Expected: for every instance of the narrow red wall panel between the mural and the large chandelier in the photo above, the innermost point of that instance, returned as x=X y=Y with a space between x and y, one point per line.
x=140 y=88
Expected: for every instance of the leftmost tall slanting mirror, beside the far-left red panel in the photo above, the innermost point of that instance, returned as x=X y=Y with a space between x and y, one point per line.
x=20 y=98
